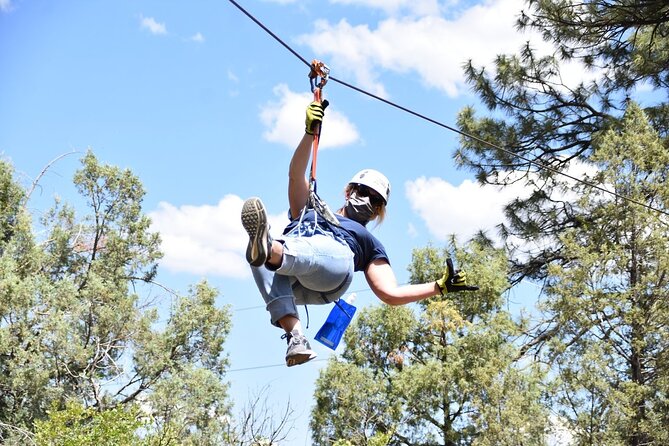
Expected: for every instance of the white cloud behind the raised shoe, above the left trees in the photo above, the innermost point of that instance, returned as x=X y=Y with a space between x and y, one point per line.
x=205 y=239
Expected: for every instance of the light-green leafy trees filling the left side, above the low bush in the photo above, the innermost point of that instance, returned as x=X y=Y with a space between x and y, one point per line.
x=74 y=326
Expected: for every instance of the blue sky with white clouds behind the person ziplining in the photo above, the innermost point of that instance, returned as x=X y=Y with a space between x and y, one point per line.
x=205 y=108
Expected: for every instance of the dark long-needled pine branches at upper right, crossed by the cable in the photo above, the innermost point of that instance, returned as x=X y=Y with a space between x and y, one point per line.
x=541 y=126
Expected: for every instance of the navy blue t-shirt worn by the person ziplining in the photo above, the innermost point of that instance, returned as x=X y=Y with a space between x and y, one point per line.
x=366 y=248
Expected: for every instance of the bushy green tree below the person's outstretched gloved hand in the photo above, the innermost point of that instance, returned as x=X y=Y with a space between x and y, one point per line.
x=442 y=374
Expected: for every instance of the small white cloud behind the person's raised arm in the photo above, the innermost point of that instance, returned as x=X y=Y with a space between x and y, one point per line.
x=284 y=121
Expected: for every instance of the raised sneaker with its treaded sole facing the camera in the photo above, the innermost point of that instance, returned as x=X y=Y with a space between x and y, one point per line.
x=254 y=220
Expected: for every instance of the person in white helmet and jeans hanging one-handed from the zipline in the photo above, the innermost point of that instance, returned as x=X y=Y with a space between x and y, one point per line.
x=313 y=262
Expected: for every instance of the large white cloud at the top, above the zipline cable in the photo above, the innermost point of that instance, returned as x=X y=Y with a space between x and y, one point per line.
x=430 y=45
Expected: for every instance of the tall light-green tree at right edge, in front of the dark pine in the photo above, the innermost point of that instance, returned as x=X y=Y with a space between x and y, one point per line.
x=607 y=319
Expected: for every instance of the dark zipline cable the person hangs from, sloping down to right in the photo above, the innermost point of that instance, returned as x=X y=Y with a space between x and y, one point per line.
x=537 y=164
